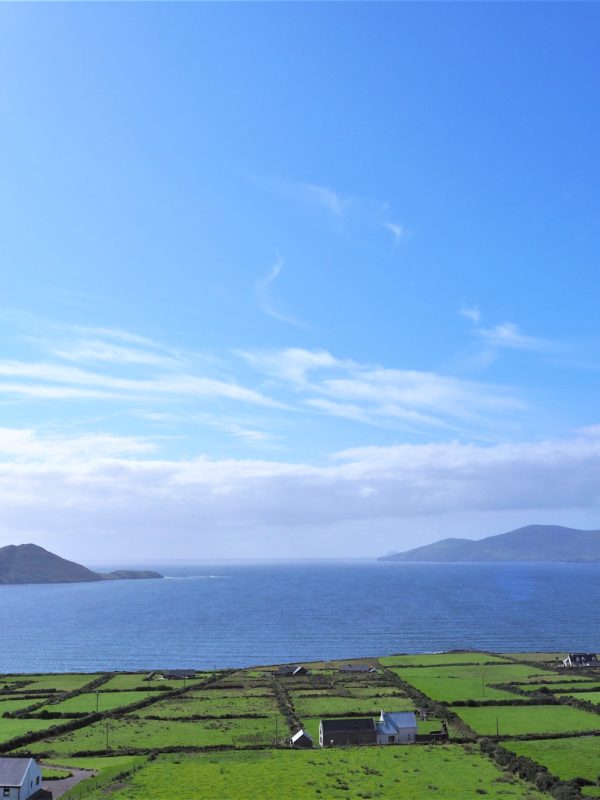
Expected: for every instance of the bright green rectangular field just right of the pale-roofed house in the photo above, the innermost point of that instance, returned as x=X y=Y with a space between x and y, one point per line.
x=518 y=720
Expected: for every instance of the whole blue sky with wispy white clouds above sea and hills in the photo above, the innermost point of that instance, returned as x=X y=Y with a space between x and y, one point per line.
x=297 y=280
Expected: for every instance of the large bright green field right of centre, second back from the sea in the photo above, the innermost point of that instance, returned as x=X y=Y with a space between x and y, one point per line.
x=466 y=683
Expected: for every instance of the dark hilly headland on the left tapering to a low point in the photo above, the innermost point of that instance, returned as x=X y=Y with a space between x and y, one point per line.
x=29 y=563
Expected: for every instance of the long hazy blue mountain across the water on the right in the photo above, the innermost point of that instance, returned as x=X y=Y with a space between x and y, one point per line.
x=532 y=543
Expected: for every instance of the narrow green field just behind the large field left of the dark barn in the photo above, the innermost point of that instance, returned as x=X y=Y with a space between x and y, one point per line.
x=213 y=704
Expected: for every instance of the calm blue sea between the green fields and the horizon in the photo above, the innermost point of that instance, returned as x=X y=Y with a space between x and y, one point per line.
x=240 y=615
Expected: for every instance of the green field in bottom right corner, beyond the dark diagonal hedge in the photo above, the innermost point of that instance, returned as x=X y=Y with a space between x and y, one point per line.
x=567 y=758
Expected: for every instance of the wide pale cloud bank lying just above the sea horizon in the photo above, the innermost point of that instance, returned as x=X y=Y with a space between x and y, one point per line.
x=71 y=487
